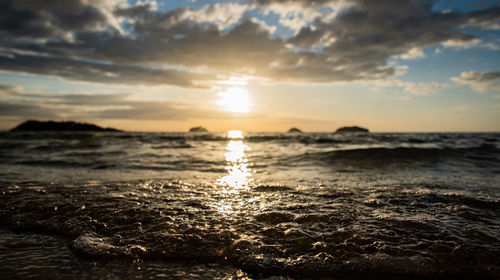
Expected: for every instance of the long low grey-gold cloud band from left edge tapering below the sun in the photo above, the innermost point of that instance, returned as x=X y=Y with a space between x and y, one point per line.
x=16 y=102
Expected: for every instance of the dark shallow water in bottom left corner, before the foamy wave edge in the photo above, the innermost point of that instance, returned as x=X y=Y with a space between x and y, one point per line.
x=40 y=256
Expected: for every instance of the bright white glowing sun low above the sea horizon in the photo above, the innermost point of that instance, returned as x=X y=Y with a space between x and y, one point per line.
x=234 y=99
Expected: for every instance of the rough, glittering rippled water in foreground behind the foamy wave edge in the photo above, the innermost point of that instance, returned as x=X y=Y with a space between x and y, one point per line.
x=383 y=230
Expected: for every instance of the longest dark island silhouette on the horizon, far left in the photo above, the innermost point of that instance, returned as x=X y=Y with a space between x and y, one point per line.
x=59 y=126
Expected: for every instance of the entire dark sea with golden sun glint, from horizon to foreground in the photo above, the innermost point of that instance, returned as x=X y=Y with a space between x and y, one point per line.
x=249 y=205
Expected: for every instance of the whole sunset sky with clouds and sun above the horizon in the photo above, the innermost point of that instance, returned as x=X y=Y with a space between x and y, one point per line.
x=252 y=65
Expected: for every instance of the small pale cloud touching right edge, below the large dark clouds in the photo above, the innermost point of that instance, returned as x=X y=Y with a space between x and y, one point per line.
x=479 y=81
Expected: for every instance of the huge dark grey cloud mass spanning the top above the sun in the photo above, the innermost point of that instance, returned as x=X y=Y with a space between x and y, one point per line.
x=113 y=42
